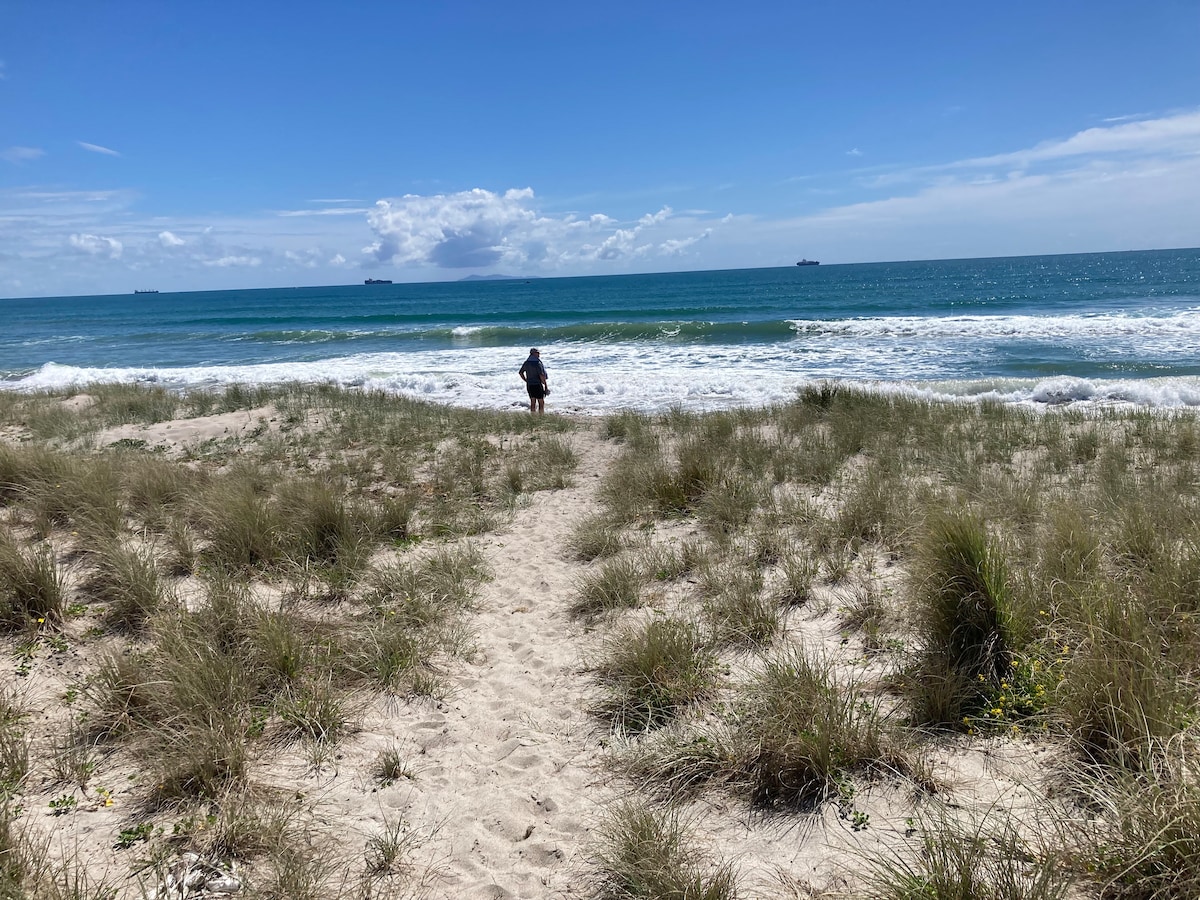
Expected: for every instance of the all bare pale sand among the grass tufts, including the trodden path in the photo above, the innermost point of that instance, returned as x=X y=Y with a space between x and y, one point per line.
x=511 y=772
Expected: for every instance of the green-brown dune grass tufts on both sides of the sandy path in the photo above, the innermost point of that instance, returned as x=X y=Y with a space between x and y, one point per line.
x=785 y=607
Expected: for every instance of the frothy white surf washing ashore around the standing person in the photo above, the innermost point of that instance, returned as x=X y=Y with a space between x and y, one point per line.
x=601 y=380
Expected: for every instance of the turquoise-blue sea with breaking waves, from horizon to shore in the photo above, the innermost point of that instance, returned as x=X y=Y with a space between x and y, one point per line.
x=1096 y=328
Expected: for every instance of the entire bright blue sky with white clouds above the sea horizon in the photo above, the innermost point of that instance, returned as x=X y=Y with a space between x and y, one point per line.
x=188 y=147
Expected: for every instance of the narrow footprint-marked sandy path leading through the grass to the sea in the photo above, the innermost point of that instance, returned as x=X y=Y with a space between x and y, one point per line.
x=507 y=782
